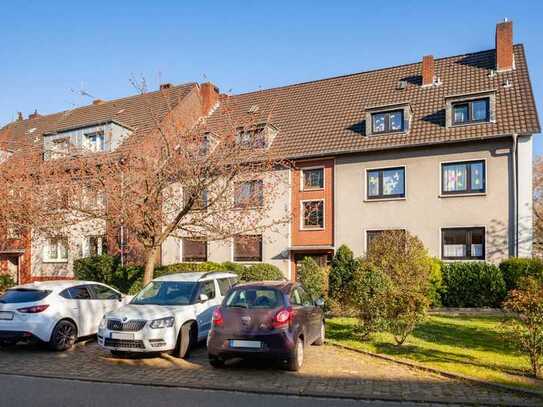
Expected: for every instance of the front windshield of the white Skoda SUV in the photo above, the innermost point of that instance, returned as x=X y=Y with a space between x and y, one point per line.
x=166 y=293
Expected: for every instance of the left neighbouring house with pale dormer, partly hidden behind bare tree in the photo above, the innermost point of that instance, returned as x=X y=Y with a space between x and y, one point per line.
x=100 y=127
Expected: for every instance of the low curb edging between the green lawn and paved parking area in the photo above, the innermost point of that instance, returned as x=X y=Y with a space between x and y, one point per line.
x=444 y=373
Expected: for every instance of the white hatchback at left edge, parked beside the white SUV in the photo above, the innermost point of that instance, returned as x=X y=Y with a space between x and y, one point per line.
x=55 y=312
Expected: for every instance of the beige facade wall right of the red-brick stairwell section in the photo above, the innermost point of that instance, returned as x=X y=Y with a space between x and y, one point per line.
x=425 y=211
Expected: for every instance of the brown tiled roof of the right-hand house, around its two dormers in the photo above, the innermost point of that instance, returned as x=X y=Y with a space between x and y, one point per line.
x=327 y=116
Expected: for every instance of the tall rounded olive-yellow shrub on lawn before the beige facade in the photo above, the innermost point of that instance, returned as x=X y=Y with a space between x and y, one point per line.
x=403 y=258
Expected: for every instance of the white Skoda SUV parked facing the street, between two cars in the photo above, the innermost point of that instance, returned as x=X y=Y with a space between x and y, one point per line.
x=171 y=313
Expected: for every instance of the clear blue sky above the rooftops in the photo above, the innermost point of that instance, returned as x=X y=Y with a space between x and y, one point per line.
x=51 y=49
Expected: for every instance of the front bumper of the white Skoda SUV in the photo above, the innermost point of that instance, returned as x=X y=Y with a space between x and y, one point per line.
x=144 y=340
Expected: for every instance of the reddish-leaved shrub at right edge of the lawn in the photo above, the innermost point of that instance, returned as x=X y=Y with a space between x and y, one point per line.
x=525 y=330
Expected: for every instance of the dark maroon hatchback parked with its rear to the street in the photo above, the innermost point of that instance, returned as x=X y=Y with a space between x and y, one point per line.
x=274 y=320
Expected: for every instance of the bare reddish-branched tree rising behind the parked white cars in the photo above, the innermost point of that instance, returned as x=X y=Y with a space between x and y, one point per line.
x=178 y=179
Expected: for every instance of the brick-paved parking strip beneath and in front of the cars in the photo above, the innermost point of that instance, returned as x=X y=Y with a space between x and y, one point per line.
x=328 y=371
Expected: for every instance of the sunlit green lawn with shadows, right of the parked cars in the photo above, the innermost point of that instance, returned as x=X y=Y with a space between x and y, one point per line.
x=467 y=345
